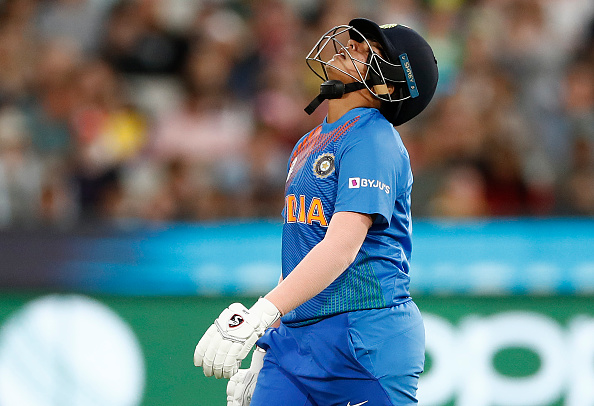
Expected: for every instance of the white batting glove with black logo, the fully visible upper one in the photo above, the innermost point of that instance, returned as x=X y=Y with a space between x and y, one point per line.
x=228 y=341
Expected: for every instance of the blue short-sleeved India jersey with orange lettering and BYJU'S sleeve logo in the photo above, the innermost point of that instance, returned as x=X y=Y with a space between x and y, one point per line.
x=356 y=164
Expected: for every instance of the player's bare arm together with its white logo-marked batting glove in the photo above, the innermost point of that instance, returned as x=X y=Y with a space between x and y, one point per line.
x=228 y=341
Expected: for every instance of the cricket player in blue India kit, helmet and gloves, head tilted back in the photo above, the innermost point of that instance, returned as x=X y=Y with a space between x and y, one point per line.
x=349 y=332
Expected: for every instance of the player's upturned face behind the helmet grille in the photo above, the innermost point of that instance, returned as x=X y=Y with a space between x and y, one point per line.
x=353 y=64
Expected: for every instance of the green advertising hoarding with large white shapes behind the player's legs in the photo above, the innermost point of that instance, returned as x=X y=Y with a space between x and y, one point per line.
x=481 y=351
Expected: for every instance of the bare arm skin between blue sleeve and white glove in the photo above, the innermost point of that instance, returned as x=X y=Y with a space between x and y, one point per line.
x=324 y=263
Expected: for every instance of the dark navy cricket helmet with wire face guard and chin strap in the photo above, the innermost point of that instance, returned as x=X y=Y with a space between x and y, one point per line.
x=406 y=63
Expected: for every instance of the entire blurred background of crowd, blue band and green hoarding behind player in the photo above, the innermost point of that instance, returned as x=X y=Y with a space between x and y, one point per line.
x=143 y=153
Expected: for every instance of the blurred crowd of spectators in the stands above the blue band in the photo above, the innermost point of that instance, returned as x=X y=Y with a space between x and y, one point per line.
x=187 y=110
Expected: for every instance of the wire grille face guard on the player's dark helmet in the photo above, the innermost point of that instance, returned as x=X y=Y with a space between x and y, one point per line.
x=378 y=73
